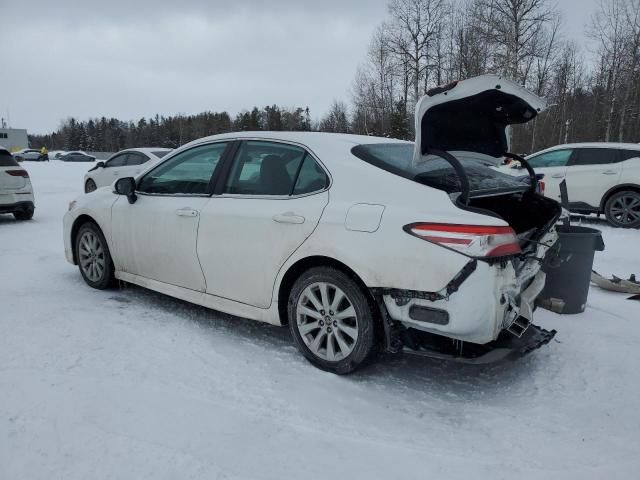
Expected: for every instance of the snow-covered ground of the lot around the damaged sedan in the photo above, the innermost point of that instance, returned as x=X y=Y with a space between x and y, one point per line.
x=130 y=384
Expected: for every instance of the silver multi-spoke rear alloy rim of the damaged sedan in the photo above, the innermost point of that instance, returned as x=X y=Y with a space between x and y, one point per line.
x=327 y=321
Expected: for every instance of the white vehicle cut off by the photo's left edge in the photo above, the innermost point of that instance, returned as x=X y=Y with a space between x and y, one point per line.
x=16 y=193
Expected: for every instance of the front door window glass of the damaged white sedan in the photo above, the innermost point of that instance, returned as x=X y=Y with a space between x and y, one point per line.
x=188 y=172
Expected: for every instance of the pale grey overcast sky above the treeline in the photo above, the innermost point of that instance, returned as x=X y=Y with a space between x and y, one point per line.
x=133 y=58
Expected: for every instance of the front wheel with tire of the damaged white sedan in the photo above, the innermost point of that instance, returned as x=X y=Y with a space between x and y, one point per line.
x=93 y=256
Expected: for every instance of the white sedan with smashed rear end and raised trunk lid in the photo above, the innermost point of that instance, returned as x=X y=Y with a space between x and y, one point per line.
x=357 y=243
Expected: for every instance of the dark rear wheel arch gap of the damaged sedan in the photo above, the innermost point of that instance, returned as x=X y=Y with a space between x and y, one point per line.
x=295 y=270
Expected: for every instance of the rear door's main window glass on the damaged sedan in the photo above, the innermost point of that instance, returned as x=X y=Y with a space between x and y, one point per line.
x=264 y=168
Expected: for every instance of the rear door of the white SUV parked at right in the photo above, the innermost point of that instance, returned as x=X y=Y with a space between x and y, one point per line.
x=591 y=173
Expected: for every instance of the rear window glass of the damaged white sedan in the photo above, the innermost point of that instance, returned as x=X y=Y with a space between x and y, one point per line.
x=397 y=158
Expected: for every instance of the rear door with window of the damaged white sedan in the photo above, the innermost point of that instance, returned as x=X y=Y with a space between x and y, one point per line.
x=268 y=204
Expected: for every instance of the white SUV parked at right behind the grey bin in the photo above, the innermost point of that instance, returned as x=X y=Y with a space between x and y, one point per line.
x=601 y=178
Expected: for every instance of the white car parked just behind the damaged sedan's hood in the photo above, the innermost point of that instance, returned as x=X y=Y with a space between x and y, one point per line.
x=126 y=163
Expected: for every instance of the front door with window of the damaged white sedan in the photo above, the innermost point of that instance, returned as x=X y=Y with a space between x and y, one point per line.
x=156 y=236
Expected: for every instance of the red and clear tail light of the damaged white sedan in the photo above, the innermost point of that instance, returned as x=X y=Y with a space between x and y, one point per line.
x=473 y=240
